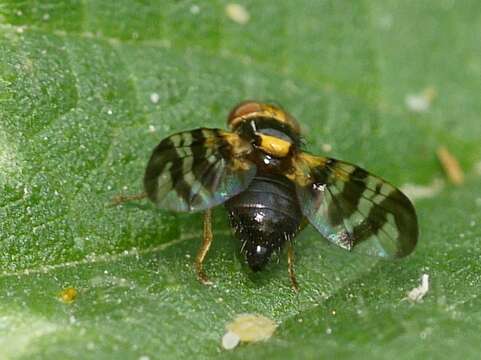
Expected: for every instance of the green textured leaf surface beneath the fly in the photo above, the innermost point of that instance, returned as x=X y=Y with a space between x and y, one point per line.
x=88 y=88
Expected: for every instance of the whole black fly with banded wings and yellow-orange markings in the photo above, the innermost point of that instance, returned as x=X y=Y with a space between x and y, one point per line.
x=271 y=189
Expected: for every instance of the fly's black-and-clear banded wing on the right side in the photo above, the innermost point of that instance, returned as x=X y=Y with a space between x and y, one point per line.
x=354 y=209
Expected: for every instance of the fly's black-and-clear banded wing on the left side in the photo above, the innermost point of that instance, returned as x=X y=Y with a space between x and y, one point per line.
x=196 y=170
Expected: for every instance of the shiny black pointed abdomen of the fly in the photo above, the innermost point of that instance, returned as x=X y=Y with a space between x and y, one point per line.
x=264 y=217
